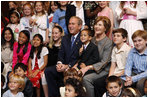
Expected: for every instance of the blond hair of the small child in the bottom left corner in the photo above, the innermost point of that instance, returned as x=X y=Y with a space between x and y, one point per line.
x=20 y=80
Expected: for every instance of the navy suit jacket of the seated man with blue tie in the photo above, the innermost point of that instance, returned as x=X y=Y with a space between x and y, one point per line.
x=66 y=54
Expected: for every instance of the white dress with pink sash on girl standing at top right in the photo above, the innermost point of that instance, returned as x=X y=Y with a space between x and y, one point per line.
x=130 y=22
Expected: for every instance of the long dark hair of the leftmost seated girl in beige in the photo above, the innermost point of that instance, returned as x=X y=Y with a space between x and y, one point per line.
x=3 y=41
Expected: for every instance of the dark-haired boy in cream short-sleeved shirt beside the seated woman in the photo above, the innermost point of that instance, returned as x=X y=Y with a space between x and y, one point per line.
x=119 y=52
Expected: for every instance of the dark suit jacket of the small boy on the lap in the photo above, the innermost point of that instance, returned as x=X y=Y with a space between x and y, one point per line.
x=90 y=55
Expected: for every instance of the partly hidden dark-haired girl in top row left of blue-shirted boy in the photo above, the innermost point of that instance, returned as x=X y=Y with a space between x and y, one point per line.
x=52 y=9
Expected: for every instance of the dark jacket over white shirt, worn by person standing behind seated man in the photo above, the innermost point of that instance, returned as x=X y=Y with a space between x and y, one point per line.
x=71 y=11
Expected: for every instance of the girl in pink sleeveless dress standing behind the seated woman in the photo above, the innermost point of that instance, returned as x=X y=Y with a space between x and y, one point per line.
x=106 y=11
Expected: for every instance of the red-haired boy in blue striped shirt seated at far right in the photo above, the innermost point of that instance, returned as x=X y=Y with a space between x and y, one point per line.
x=136 y=65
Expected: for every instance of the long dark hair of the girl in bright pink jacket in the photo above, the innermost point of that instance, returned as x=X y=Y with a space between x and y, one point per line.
x=26 y=32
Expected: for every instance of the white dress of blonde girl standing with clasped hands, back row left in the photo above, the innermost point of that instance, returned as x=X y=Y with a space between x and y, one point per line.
x=41 y=26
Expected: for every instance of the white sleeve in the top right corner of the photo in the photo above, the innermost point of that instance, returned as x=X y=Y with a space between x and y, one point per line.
x=141 y=10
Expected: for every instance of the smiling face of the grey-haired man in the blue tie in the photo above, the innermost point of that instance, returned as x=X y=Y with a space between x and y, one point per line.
x=73 y=26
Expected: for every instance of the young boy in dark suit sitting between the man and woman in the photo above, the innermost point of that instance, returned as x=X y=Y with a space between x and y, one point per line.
x=88 y=52
